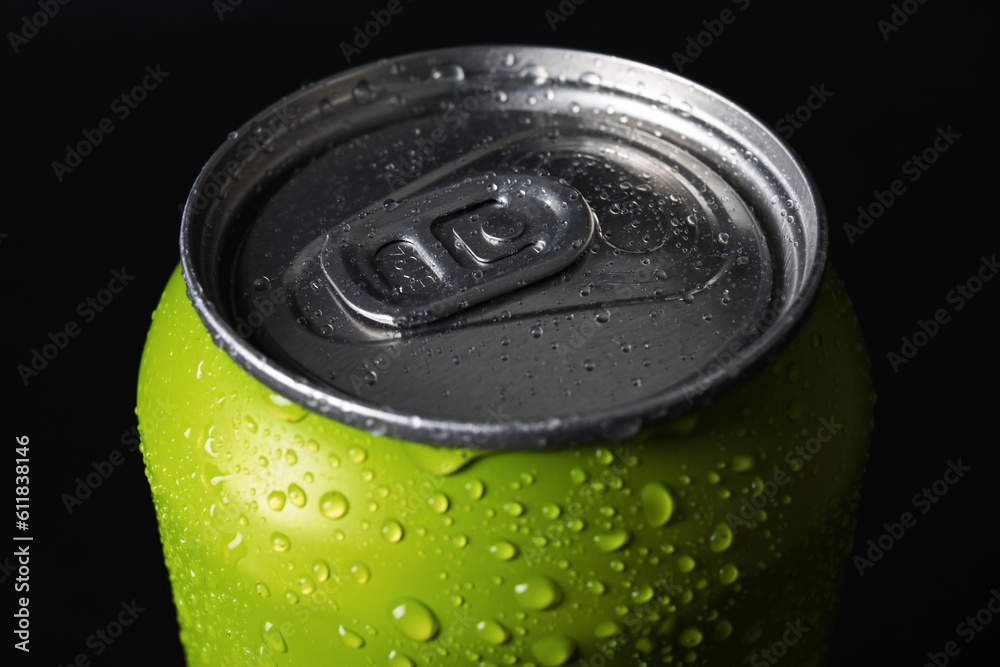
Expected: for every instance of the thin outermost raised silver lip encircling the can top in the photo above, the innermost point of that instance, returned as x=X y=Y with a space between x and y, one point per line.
x=499 y=432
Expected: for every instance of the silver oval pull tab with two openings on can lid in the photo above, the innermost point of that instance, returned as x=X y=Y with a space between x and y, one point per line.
x=439 y=252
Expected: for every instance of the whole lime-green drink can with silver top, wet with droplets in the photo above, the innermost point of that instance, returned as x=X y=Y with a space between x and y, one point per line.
x=505 y=356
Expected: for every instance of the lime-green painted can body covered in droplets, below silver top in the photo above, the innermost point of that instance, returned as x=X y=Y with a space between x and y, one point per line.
x=294 y=540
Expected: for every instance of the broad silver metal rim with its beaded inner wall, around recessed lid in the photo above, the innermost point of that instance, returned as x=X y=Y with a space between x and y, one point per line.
x=800 y=260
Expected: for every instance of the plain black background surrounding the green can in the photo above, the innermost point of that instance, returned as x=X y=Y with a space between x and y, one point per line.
x=119 y=208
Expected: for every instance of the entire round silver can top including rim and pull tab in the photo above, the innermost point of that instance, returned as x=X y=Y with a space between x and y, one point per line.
x=503 y=247
